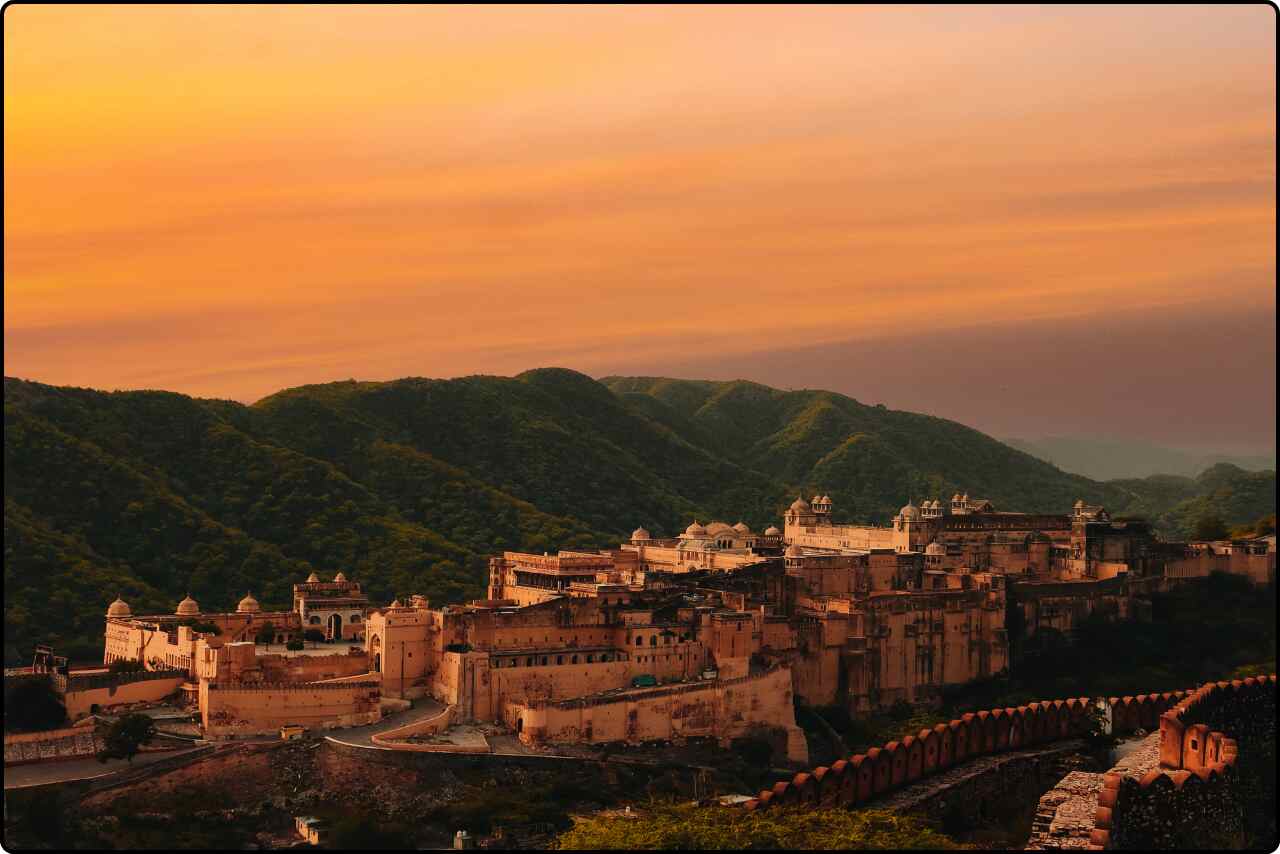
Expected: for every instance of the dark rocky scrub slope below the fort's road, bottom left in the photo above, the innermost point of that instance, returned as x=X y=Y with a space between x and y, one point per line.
x=249 y=800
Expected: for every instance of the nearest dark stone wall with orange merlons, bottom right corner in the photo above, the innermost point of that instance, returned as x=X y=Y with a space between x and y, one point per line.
x=1192 y=798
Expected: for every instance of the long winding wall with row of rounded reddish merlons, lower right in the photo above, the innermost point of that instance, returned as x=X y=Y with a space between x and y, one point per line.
x=874 y=775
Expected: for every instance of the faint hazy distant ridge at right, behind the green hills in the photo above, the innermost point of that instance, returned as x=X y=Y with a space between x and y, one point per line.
x=1122 y=459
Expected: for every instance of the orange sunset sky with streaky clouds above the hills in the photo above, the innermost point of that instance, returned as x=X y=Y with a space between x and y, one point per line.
x=1036 y=221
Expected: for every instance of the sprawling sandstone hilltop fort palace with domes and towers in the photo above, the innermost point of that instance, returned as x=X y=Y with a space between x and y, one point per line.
x=714 y=633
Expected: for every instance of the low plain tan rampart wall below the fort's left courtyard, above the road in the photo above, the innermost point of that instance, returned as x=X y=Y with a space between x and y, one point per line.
x=260 y=709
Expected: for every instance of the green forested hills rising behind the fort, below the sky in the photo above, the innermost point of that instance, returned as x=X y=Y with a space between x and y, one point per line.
x=409 y=486
